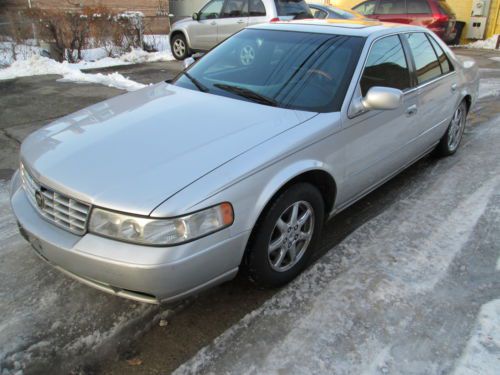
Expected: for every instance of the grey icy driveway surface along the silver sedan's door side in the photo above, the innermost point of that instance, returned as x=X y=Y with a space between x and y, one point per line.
x=399 y=295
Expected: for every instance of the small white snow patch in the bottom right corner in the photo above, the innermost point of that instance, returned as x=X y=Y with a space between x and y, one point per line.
x=482 y=353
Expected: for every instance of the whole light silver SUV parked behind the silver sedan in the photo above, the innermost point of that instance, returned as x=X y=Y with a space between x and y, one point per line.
x=219 y=19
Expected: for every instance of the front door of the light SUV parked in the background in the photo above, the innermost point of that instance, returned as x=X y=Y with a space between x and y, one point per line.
x=203 y=33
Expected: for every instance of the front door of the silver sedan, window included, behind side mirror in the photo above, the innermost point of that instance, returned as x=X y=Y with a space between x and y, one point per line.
x=378 y=142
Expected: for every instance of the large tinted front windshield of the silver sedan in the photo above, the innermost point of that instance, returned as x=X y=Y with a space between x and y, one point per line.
x=286 y=69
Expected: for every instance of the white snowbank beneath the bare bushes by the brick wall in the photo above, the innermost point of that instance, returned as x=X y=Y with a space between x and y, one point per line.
x=39 y=65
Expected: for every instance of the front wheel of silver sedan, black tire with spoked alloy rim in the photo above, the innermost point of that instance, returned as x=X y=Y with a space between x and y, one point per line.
x=263 y=265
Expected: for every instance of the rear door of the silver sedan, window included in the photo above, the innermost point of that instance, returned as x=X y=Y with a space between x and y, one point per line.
x=437 y=87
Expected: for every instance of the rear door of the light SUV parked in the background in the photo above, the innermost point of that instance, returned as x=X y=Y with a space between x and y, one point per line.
x=234 y=17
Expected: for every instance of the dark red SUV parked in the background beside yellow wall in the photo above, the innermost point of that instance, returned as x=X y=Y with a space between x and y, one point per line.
x=436 y=15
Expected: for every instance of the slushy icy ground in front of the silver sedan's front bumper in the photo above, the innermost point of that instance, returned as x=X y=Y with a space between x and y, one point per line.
x=48 y=320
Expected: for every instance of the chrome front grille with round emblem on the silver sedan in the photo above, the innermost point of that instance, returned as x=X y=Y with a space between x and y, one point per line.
x=58 y=208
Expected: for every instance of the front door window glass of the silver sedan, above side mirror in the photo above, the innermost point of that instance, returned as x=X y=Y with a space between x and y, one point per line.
x=386 y=66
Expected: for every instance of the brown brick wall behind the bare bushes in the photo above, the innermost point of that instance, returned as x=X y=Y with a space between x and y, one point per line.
x=155 y=11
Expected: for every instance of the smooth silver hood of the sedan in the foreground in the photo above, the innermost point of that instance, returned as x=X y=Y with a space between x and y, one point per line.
x=133 y=152
